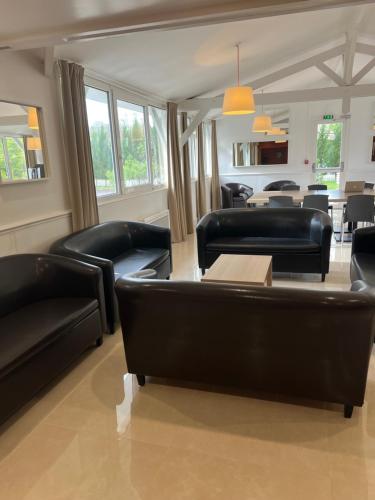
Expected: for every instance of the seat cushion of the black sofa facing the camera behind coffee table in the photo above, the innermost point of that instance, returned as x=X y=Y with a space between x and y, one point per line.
x=251 y=244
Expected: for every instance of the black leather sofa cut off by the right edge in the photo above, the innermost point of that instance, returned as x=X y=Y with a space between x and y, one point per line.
x=362 y=266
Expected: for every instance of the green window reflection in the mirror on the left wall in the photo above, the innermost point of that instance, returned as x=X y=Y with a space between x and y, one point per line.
x=13 y=158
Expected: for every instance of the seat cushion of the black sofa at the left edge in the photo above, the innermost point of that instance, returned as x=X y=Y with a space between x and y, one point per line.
x=26 y=331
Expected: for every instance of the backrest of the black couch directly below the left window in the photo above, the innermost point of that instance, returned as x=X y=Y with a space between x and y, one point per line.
x=107 y=240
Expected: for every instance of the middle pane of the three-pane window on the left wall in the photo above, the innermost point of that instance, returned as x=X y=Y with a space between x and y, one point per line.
x=133 y=143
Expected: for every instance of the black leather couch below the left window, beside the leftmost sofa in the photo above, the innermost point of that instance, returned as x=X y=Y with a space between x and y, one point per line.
x=119 y=248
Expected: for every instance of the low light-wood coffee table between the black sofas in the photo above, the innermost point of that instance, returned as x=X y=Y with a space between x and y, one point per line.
x=241 y=270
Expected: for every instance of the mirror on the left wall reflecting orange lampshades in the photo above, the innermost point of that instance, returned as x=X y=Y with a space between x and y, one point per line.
x=22 y=150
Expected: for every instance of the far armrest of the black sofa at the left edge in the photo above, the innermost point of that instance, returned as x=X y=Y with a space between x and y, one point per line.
x=64 y=277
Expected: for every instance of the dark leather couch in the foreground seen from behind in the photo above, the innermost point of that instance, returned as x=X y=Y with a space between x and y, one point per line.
x=307 y=344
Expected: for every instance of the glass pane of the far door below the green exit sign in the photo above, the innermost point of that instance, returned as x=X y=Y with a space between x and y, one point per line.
x=328 y=154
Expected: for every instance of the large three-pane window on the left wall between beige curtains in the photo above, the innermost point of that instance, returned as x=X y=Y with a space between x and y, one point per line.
x=128 y=142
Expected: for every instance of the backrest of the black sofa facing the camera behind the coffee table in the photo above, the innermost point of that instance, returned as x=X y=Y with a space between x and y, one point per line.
x=266 y=222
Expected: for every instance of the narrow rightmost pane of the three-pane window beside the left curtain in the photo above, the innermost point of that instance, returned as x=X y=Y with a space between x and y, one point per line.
x=158 y=138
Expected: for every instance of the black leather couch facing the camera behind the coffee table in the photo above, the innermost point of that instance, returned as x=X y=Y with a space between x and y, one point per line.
x=298 y=239
